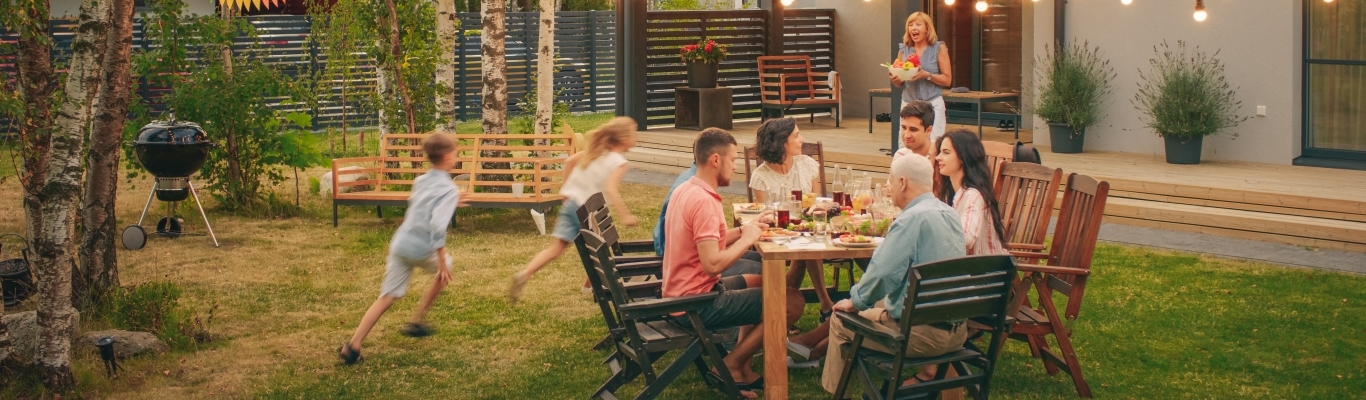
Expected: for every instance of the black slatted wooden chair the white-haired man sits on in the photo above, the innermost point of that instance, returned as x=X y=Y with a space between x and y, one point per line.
x=976 y=287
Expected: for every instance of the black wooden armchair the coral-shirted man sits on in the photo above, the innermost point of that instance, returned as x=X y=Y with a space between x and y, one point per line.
x=645 y=335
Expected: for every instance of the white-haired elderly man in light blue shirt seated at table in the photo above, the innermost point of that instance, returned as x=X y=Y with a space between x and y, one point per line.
x=927 y=231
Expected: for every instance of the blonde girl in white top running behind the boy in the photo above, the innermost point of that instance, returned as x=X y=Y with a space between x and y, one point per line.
x=598 y=170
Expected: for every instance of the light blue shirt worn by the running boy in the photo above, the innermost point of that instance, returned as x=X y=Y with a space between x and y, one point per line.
x=431 y=210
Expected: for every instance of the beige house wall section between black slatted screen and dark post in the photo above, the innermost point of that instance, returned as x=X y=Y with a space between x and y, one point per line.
x=861 y=32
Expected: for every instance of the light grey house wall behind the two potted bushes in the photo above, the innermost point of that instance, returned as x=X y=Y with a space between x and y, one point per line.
x=1259 y=42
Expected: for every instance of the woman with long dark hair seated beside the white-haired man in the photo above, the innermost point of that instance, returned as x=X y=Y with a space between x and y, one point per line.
x=966 y=185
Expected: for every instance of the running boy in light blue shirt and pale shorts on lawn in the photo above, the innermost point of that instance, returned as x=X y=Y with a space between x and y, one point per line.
x=420 y=244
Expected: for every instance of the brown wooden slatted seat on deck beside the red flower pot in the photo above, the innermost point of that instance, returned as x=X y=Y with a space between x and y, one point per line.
x=787 y=83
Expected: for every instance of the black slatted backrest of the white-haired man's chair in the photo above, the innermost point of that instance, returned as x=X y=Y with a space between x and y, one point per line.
x=958 y=289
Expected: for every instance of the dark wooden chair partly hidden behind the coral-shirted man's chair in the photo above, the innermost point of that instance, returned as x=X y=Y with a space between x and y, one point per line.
x=644 y=271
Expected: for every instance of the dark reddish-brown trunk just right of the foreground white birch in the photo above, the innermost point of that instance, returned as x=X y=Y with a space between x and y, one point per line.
x=98 y=242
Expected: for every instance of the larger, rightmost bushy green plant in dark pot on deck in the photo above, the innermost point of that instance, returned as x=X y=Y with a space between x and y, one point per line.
x=1185 y=99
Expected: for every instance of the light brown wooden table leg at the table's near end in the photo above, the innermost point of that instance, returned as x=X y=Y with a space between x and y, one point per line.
x=775 y=330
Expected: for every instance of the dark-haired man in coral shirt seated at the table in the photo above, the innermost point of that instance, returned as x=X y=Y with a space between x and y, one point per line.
x=701 y=248
